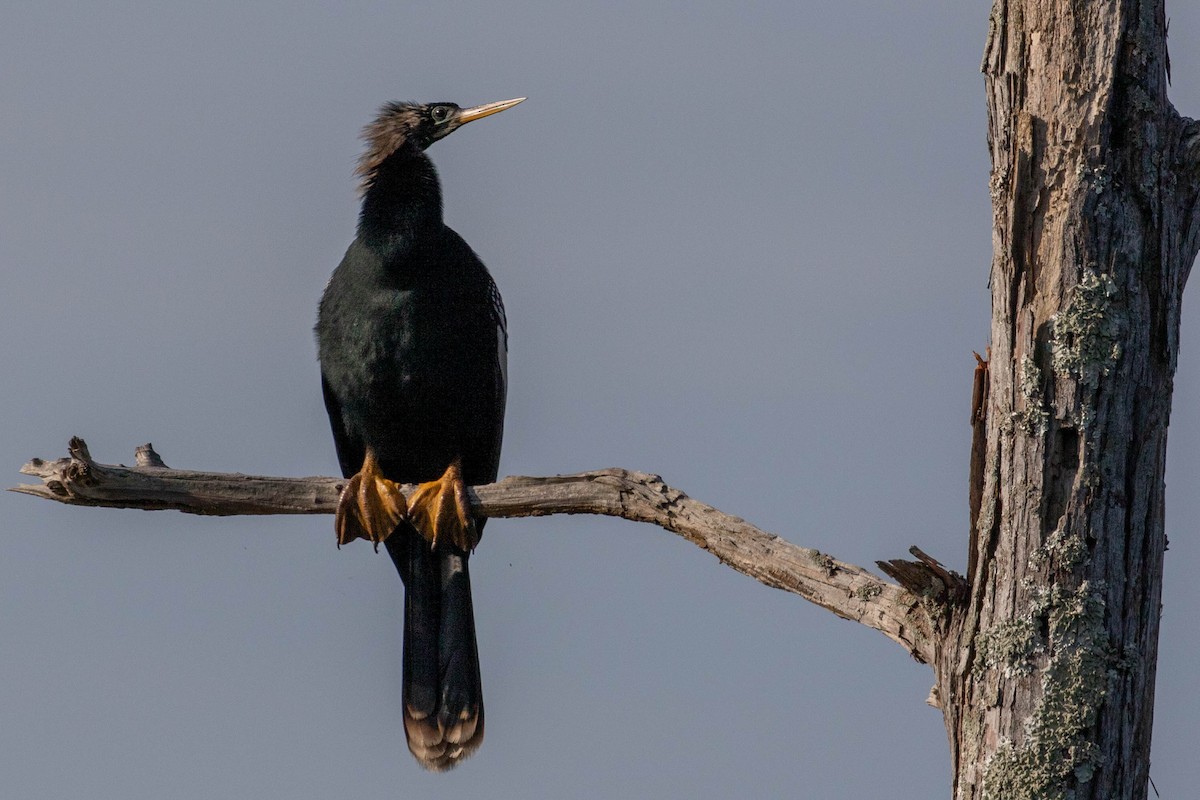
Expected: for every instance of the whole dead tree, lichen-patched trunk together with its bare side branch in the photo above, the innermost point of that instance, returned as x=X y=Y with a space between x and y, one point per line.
x=1045 y=657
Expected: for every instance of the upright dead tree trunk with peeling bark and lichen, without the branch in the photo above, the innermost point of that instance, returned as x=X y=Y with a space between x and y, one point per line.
x=1047 y=675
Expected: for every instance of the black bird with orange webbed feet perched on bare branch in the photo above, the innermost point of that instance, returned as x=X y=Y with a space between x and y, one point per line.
x=413 y=359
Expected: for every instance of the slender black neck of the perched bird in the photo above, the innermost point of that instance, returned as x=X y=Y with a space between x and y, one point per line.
x=403 y=204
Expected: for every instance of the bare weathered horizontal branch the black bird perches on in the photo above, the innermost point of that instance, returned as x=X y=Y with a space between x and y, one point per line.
x=845 y=590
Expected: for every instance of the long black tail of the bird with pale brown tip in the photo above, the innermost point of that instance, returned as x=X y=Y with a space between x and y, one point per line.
x=442 y=690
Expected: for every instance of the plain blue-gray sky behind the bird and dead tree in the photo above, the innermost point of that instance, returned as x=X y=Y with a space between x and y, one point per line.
x=742 y=245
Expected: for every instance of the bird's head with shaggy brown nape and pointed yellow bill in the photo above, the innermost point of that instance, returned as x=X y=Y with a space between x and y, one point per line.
x=418 y=124
